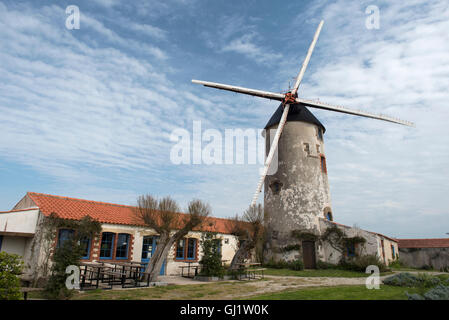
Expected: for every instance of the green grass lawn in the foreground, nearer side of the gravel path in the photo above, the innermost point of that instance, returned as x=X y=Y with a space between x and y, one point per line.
x=340 y=293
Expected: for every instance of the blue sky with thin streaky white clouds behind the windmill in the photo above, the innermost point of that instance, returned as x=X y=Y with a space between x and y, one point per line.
x=88 y=112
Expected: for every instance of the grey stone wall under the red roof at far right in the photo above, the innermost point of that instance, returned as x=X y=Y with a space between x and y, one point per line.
x=438 y=258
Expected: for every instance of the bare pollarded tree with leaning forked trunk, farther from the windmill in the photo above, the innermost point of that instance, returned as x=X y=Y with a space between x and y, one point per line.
x=163 y=216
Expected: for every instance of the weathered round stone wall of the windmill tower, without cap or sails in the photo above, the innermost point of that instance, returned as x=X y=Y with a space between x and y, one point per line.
x=297 y=195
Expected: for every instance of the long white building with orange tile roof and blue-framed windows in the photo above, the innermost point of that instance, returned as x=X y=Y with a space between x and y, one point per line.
x=124 y=236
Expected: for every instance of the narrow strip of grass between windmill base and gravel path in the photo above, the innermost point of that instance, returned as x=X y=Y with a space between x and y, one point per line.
x=319 y=273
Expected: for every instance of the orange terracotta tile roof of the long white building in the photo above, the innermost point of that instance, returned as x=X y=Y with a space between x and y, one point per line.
x=75 y=209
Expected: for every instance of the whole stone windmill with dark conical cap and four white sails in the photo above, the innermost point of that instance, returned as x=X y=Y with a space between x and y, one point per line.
x=297 y=195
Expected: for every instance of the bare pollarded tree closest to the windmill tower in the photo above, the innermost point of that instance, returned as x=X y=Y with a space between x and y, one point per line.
x=249 y=230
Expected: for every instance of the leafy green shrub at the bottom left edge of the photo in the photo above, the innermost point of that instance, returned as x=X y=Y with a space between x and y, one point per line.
x=10 y=268
